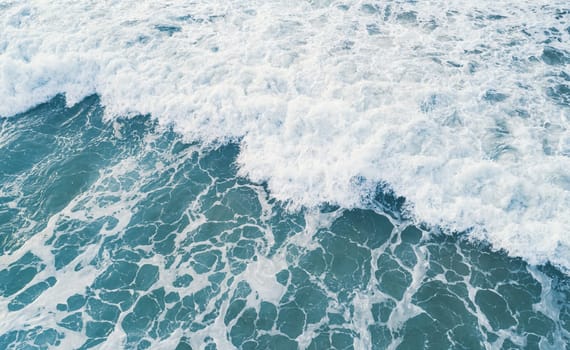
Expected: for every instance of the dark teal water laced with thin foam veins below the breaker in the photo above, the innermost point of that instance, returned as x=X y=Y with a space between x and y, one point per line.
x=121 y=235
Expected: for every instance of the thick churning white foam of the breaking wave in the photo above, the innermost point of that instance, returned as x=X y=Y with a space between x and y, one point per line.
x=449 y=102
